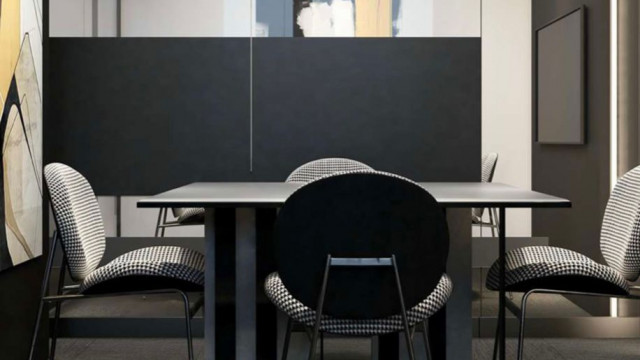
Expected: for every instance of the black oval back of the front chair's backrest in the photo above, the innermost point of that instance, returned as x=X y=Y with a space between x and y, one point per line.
x=361 y=215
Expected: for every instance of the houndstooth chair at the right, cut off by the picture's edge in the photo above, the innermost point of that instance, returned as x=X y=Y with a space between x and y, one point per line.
x=546 y=269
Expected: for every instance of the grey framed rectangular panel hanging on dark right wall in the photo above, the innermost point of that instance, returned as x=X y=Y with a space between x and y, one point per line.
x=559 y=80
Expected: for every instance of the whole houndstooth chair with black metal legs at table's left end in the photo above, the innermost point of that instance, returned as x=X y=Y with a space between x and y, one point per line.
x=159 y=269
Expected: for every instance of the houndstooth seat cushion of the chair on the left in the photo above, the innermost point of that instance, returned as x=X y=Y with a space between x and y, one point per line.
x=158 y=267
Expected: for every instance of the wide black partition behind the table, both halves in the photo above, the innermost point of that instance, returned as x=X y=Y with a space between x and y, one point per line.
x=139 y=116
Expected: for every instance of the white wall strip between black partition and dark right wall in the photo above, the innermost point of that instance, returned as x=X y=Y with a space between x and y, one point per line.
x=506 y=97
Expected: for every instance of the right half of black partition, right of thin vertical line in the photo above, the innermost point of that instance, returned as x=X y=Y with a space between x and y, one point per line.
x=410 y=106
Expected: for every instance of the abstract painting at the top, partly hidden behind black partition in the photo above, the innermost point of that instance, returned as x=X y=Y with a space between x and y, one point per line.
x=342 y=18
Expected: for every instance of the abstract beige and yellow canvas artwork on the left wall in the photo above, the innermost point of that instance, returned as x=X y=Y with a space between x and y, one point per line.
x=21 y=134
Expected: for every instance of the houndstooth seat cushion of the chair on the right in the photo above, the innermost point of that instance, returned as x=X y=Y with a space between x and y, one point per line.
x=539 y=262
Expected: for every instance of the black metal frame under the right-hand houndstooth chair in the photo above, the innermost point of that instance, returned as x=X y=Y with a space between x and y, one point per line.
x=520 y=312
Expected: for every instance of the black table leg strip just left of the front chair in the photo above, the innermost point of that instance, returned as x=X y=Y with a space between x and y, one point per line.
x=267 y=317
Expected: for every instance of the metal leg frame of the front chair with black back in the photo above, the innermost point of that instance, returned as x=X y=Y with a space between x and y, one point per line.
x=357 y=263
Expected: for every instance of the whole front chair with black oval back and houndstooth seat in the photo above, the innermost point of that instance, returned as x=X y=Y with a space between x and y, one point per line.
x=333 y=191
